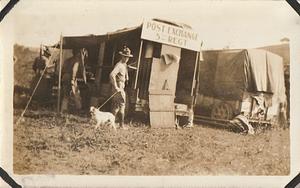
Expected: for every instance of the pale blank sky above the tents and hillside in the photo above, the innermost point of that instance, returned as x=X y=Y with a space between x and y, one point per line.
x=233 y=24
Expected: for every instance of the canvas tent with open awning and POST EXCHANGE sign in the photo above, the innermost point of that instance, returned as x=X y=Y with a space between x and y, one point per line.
x=162 y=50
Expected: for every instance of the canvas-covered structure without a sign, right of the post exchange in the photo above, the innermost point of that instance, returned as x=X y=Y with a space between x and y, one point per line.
x=234 y=77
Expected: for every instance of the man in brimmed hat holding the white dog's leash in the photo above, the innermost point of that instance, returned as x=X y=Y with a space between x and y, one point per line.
x=118 y=77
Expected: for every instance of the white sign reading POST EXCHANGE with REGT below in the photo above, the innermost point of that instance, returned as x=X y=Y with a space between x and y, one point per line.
x=172 y=35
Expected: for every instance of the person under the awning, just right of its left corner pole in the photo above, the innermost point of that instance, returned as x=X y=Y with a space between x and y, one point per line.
x=73 y=79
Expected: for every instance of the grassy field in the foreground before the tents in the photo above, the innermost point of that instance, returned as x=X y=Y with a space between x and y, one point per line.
x=45 y=144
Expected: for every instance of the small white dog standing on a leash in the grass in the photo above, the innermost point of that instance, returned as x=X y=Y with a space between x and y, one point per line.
x=102 y=118
